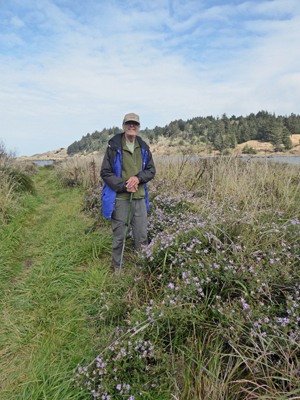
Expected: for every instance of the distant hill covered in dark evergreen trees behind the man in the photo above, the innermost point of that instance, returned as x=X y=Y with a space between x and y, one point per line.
x=222 y=134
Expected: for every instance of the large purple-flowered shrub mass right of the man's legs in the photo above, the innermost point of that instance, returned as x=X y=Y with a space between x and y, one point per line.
x=199 y=258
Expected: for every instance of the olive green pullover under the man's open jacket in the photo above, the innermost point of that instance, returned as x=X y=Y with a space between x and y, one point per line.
x=132 y=164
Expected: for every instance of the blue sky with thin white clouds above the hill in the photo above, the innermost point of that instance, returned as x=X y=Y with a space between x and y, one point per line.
x=70 y=67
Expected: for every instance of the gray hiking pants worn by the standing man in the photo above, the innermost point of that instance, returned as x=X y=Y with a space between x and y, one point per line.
x=137 y=220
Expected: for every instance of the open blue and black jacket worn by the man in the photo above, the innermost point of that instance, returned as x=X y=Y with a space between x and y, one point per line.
x=111 y=173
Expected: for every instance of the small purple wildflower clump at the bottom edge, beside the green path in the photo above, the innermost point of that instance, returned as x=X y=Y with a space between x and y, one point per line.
x=125 y=369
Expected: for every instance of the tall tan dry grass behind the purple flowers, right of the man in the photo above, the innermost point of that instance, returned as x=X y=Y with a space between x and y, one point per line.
x=249 y=185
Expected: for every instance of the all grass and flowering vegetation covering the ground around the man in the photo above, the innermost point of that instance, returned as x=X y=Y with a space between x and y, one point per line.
x=210 y=311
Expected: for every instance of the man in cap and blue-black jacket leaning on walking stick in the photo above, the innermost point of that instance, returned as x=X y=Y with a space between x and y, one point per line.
x=127 y=167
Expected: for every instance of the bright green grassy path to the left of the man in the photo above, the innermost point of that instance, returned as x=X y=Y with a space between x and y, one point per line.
x=51 y=277
